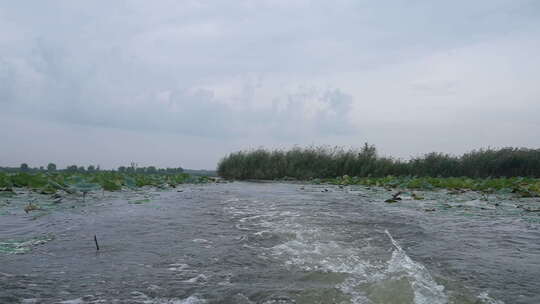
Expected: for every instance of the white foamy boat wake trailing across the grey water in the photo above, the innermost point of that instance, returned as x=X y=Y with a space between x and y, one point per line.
x=317 y=248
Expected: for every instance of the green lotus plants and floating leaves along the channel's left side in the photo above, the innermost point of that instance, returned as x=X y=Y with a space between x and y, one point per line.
x=39 y=191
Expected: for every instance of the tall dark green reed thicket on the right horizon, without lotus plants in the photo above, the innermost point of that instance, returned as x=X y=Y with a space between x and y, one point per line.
x=329 y=162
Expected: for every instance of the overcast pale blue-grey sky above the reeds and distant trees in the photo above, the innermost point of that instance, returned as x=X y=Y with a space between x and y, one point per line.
x=183 y=83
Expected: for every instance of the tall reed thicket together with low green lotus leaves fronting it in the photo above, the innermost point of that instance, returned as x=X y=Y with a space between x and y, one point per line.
x=482 y=170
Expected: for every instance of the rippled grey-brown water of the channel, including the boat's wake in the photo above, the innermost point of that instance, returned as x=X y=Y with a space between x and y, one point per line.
x=273 y=243
